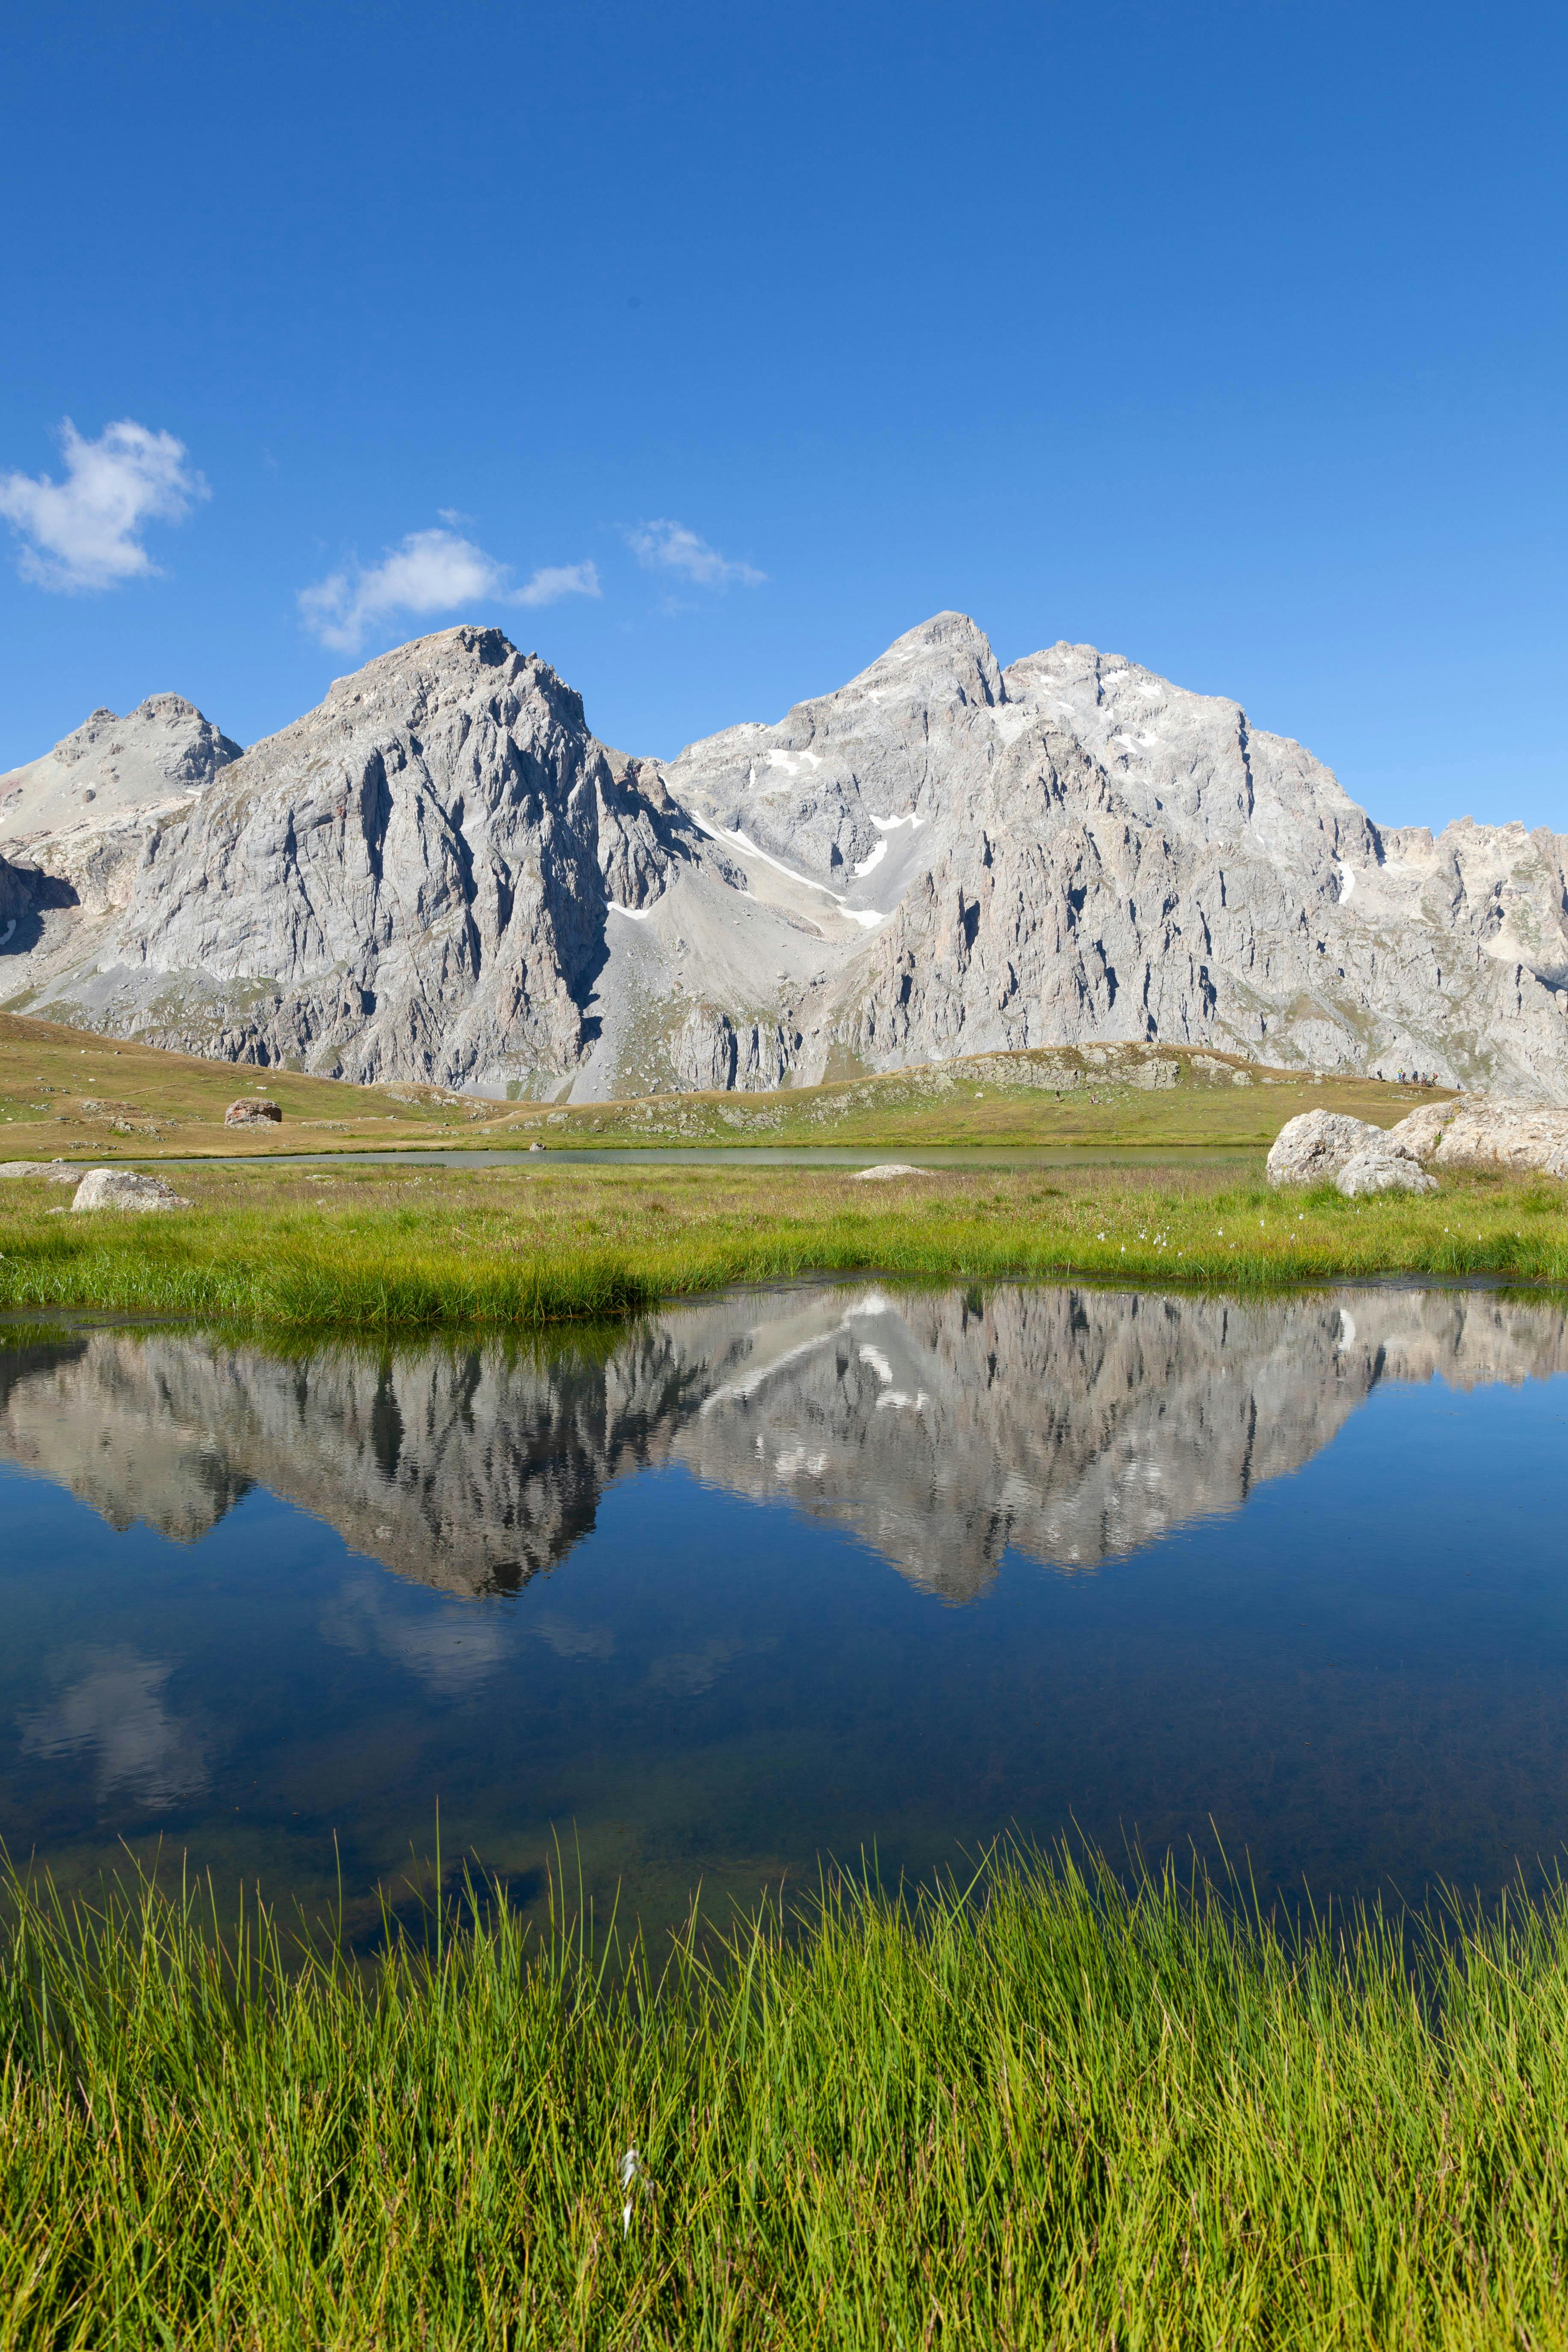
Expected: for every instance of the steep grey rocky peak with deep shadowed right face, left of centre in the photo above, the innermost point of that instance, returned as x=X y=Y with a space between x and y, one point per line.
x=413 y=881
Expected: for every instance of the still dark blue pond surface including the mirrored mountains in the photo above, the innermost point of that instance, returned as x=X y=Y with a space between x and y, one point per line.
x=798 y=1575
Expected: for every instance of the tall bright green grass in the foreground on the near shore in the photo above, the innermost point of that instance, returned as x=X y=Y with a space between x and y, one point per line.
x=1045 y=2116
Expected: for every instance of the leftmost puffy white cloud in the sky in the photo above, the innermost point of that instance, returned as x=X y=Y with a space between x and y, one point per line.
x=86 y=533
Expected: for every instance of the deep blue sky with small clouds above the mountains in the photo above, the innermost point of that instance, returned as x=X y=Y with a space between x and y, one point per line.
x=711 y=349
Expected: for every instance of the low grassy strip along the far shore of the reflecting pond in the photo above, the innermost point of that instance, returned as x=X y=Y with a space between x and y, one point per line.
x=420 y=1248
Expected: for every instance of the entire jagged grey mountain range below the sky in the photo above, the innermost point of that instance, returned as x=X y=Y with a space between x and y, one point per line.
x=443 y=874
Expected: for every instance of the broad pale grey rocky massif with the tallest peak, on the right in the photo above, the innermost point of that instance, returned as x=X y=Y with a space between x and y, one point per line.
x=1073 y=848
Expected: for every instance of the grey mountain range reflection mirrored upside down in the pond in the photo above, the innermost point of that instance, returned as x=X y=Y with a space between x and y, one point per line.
x=944 y=1429
